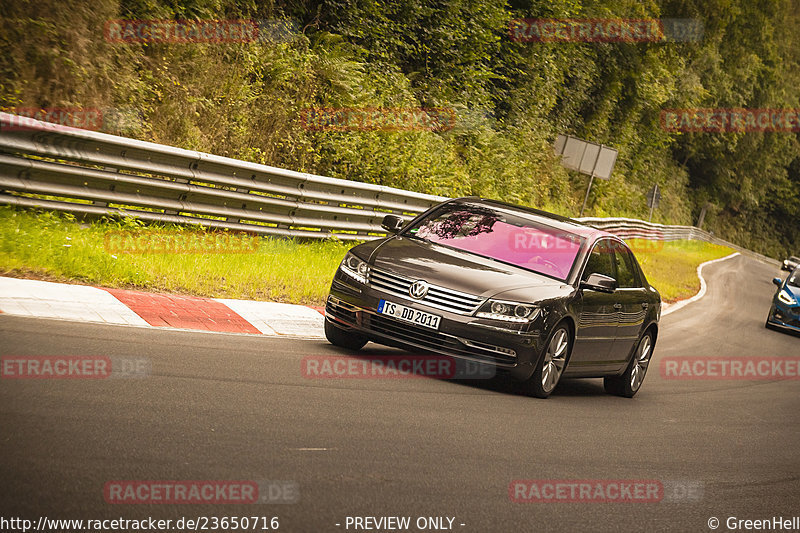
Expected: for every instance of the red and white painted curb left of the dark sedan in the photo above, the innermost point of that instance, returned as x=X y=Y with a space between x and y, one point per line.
x=44 y=299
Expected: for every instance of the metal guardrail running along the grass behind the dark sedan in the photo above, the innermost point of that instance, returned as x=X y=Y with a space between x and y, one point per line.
x=90 y=173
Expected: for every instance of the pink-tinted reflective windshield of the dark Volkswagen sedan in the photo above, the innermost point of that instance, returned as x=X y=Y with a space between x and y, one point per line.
x=502 y=236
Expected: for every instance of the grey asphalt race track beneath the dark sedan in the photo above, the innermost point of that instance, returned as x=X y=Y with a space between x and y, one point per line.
x=236 y=407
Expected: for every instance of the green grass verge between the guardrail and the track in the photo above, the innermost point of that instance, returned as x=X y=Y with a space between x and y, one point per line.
x=57 y=247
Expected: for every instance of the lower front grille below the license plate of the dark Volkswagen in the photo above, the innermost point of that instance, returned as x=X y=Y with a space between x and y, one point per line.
x=433 y=340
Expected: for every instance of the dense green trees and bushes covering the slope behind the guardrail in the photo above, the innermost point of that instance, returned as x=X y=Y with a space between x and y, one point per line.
x=511 y=98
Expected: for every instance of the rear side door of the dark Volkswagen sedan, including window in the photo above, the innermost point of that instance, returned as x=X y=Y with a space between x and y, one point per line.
x=632 y=295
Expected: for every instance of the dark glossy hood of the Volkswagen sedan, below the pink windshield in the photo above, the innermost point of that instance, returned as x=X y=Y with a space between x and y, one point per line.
x=462 y=271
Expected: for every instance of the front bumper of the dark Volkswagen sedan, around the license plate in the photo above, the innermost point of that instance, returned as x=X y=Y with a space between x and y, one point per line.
x=354 y=307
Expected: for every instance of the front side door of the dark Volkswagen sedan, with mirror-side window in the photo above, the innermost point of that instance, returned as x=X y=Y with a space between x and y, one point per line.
x=599 y=316
